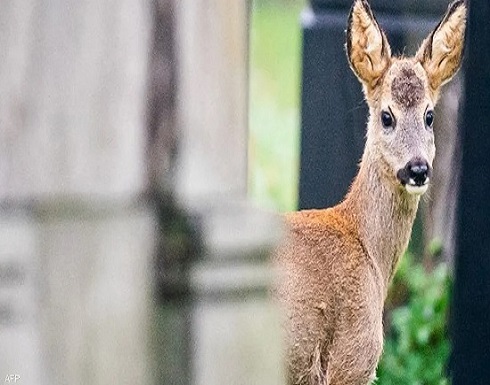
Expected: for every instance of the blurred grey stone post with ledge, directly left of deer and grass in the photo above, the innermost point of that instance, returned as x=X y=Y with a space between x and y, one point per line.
x=214 y=322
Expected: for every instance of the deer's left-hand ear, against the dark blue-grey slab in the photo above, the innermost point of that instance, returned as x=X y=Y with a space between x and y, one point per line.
x=368 y=50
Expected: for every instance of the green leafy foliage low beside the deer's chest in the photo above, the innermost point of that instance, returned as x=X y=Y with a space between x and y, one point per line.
x=417 y=347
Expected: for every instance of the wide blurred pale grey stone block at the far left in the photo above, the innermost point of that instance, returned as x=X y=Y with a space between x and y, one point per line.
x=76 y=236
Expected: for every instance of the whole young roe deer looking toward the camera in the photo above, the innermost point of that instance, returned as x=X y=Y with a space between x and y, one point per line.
x=337 y=263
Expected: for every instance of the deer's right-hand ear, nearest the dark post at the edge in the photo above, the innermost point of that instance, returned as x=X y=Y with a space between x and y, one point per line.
x=441 y=52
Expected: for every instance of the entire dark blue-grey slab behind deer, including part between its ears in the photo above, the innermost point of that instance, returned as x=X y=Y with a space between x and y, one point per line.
x=334 y=113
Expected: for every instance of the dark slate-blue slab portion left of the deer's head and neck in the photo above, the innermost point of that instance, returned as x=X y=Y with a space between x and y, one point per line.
x=333 y=110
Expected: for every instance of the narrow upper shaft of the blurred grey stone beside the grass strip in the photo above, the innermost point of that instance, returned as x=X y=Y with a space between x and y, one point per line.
x=212 y=46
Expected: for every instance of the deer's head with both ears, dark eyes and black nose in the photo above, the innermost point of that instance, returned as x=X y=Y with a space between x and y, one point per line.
x=401 y=92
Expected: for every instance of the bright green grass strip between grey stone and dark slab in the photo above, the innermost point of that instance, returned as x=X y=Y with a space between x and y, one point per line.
x=275 y=49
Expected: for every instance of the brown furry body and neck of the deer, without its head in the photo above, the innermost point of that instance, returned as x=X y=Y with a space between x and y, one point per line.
x=335 y=278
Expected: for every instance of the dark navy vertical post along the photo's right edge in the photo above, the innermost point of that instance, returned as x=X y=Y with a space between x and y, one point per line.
x=471 y=339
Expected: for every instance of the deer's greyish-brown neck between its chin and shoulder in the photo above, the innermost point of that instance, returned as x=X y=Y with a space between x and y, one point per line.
x=383 y=214
